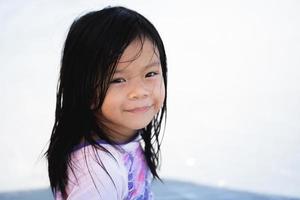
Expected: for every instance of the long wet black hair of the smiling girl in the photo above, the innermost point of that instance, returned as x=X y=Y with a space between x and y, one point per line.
x=93 y=47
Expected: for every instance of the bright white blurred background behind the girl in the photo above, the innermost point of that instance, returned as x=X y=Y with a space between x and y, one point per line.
x=233 y=98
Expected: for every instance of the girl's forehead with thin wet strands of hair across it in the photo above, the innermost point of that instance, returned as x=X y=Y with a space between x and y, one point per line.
x=138 y=53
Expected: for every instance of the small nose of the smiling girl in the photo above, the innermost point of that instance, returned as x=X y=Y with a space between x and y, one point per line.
x=138 y=90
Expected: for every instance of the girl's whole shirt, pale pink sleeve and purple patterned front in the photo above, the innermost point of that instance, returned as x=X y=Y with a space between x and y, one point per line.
x=129 y=176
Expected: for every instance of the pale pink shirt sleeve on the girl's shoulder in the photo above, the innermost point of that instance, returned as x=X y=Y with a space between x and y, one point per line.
x=97 y=175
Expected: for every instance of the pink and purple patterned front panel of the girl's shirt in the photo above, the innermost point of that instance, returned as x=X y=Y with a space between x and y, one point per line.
x=139 y=177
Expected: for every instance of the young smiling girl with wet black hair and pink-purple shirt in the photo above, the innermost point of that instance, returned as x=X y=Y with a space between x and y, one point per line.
x=111 y=101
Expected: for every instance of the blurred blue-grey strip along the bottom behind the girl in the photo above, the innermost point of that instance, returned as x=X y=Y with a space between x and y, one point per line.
x=169 y=190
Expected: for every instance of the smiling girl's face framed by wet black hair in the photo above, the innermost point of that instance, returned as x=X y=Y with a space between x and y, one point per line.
x=136 y=92
